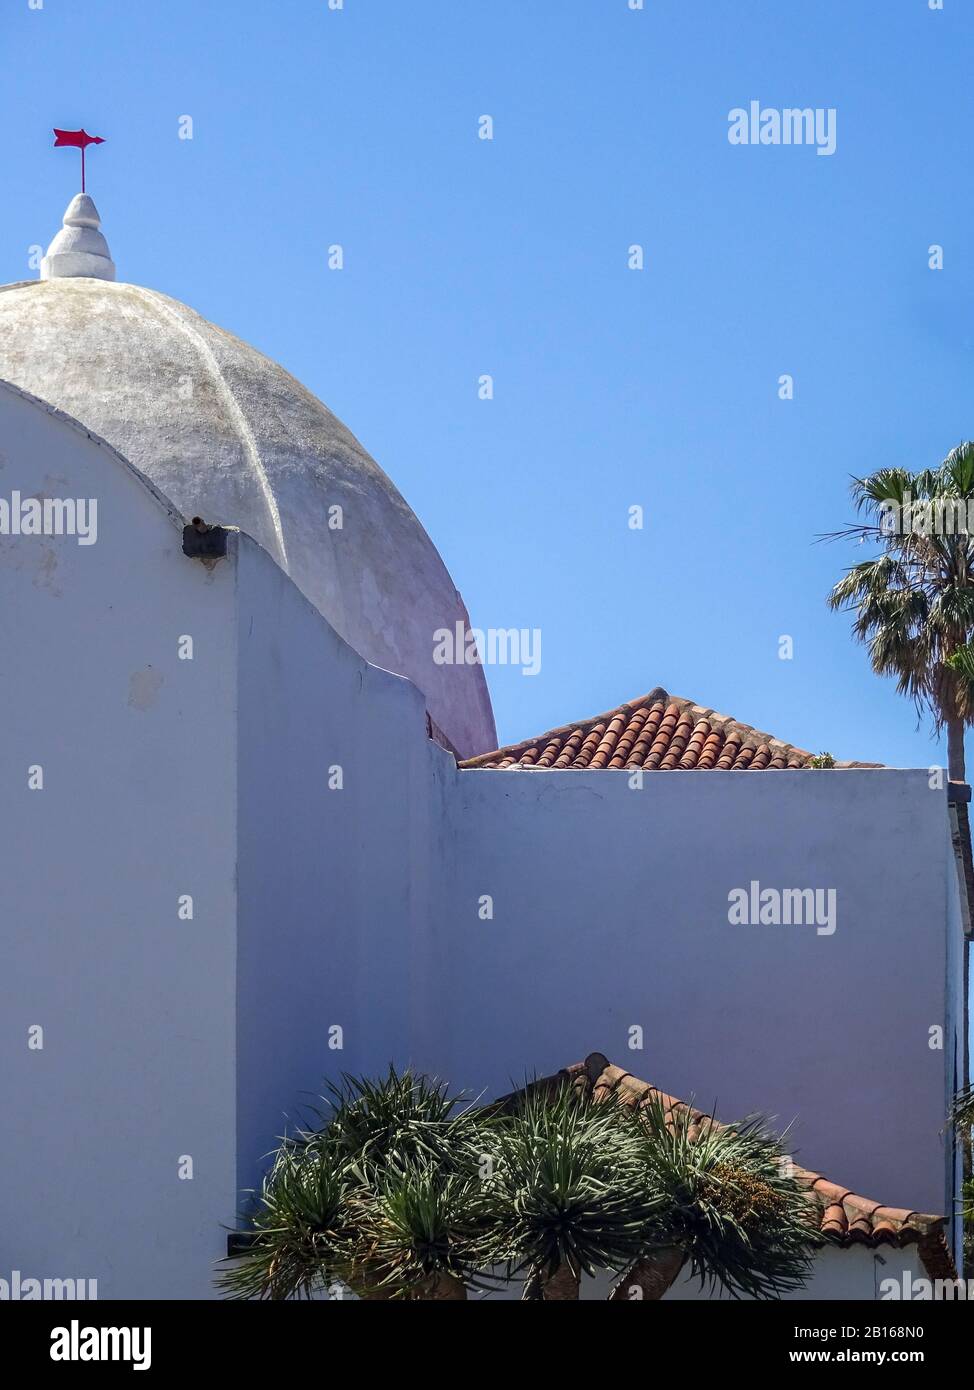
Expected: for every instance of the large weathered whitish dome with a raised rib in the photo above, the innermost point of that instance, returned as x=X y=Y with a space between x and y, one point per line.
x=231 y=437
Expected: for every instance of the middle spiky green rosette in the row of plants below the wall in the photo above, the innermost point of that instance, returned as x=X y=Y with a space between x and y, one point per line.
x=565 y=1191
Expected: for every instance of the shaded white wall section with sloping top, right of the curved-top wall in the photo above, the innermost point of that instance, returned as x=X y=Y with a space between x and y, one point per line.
x=336 y=915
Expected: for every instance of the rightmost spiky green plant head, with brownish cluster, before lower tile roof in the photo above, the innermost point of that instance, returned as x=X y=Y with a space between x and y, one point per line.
x=727 y=1206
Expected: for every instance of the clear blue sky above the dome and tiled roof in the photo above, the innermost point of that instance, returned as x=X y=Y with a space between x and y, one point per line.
x=509 y=258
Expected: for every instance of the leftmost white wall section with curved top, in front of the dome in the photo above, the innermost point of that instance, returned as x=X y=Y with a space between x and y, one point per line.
x=138 y=808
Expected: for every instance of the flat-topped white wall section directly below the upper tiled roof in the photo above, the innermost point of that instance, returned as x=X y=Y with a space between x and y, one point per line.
x=611 y=913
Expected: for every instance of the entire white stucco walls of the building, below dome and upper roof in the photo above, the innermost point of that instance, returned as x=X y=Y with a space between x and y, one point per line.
x=361 y=908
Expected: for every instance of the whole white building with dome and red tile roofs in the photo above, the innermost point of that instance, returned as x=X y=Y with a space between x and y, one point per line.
x=255 y=835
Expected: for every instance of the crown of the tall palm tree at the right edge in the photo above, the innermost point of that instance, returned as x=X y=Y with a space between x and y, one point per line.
x=914 y=604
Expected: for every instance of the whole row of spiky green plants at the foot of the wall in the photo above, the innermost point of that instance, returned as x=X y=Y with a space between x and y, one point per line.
x=404 y=1195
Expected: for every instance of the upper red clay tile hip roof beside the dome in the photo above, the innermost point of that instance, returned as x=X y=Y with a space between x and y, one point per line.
x=658 y=732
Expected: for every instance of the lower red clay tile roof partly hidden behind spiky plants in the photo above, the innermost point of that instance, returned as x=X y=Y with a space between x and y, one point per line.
x=845 y=1218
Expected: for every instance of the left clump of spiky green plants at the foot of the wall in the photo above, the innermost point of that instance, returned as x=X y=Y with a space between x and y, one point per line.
x=379 y=1196
